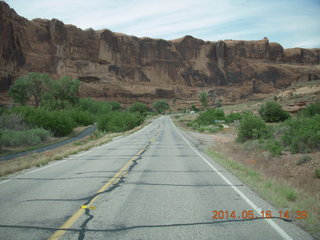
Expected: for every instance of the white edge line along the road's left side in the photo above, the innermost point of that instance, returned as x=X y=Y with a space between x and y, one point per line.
x=78 y=155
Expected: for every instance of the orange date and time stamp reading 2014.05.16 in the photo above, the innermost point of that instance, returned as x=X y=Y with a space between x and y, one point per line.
x=250 y=214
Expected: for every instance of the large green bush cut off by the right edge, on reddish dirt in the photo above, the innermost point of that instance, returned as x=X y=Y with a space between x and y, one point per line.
x=303 y=134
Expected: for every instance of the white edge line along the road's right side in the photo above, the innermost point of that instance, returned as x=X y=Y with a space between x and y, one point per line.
x=275 y=226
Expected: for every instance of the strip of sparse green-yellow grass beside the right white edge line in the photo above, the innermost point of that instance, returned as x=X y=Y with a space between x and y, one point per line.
x=277 y=193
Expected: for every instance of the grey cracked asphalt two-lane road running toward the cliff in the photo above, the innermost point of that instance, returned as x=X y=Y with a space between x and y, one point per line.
x=152 y=184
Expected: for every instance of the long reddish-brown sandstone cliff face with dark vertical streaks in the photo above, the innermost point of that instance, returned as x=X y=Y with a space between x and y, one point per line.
x=126 y=68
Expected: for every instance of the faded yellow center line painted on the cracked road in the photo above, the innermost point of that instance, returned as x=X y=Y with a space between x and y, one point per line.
x=68 y=224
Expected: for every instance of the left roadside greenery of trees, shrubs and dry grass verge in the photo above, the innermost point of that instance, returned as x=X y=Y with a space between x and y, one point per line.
x=47 y=111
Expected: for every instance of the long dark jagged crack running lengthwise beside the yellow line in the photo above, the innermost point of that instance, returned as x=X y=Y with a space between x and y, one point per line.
x=134 y=162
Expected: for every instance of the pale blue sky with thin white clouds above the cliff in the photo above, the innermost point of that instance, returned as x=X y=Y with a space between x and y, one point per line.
x=292 y=23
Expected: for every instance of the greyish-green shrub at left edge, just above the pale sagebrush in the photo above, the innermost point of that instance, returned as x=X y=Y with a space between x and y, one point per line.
x=13 y=121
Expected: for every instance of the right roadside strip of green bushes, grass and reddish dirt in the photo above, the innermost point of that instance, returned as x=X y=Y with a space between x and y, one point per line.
x=272 y=151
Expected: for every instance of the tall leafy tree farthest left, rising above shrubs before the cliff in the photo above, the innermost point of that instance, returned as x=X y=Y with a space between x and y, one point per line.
x=33 y=85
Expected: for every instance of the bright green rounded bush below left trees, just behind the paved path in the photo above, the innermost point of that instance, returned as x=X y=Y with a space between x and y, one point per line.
x=59 y=123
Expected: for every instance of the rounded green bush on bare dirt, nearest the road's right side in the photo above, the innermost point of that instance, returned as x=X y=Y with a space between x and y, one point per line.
x=251 y=127
